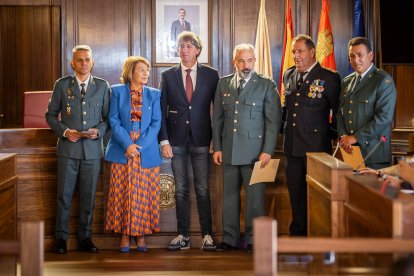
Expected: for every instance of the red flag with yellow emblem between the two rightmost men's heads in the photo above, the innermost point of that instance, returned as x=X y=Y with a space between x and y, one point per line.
x=325 y=45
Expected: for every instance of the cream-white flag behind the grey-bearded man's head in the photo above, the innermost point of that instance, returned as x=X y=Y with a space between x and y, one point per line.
x=262 y=48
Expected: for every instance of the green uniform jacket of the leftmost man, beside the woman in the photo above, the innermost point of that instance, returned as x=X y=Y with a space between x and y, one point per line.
x=75 y=113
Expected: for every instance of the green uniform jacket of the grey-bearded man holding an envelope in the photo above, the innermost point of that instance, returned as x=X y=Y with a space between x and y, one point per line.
x=246 y=125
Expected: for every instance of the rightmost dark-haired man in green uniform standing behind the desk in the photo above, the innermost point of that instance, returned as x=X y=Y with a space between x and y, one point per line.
x=367 y=105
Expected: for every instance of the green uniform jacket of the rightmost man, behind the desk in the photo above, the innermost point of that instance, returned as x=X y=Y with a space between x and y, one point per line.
x=367 y=112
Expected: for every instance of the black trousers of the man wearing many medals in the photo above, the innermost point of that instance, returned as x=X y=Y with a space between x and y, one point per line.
x=296 y=179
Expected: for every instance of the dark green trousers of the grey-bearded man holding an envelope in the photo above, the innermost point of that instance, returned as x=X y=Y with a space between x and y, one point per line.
x=233 y=178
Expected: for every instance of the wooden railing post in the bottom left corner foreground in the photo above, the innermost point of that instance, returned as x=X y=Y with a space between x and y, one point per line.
x=29 y=248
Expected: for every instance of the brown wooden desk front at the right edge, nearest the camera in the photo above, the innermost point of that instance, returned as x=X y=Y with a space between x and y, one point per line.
x=371 y=210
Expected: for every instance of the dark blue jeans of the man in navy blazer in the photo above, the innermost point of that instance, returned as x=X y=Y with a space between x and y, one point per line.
x=200 y=159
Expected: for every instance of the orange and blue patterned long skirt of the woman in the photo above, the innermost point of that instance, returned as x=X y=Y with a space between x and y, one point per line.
x=133 y=199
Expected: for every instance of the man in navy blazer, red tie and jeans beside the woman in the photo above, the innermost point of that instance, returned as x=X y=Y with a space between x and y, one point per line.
x=187 y=92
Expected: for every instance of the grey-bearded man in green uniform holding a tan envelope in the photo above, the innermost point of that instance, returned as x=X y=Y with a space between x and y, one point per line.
x=246 y=122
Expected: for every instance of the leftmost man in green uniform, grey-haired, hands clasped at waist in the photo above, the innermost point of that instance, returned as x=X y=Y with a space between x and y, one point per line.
x=82 y=101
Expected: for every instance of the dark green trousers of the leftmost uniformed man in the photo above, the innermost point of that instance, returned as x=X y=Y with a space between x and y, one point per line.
x=69 y=171
